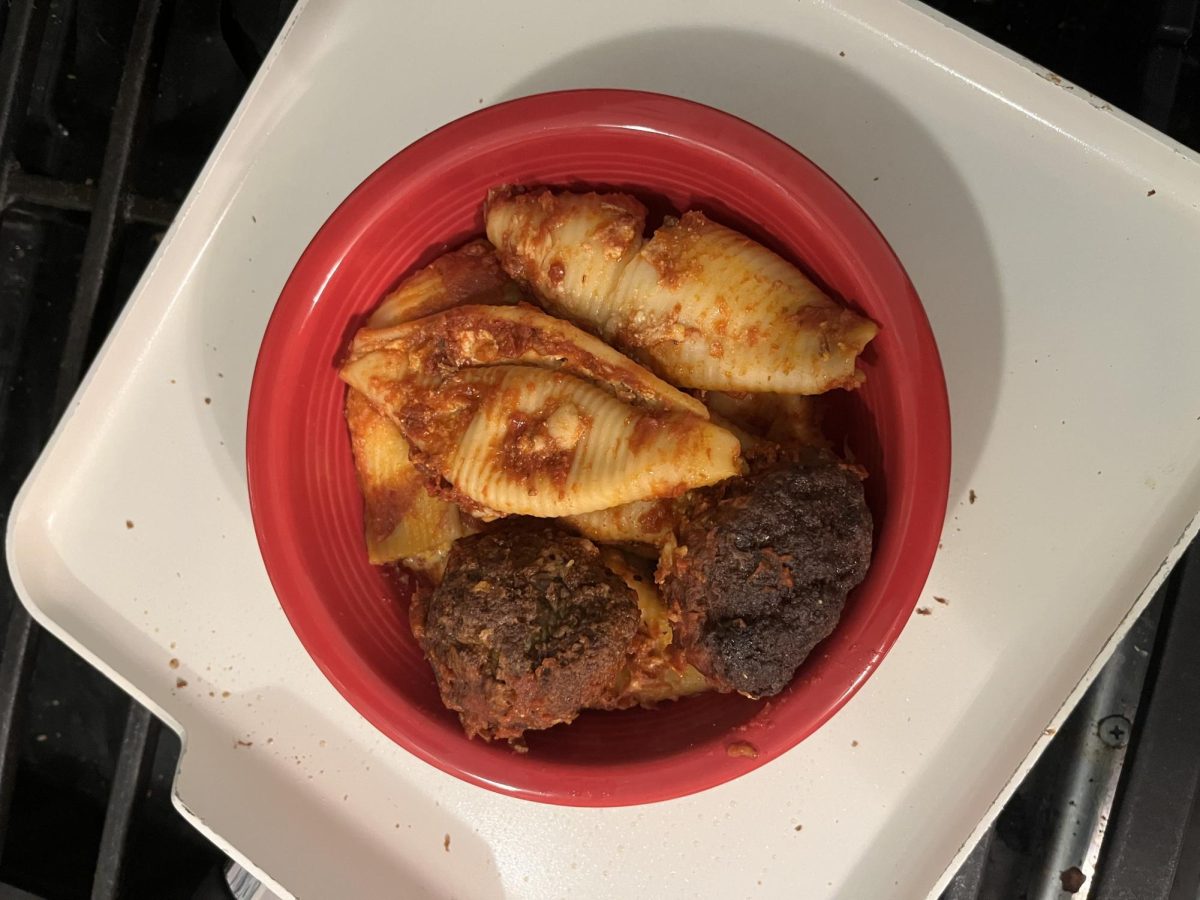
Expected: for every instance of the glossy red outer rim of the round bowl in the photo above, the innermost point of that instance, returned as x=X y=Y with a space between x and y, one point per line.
x=634 y=783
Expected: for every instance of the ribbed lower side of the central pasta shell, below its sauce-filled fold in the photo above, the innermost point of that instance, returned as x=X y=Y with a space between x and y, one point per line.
x=525 y=441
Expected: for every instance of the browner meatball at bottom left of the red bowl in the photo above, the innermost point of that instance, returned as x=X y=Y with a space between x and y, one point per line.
x=527 y=628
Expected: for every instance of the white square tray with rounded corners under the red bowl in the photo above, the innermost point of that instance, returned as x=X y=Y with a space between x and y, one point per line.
x=1053 y=242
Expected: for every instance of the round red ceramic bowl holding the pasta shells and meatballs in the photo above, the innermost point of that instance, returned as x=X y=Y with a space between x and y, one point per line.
x=428 y=199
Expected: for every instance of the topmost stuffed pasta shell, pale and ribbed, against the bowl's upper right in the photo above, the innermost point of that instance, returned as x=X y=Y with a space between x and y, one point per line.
x=700 y=304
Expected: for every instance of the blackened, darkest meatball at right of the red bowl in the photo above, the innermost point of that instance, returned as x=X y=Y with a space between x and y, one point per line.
x=763 y=572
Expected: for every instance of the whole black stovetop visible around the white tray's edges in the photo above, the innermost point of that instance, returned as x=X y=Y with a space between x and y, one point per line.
x=110 y=109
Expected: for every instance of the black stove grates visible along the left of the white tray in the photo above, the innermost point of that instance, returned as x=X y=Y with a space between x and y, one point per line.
x=107 y=113
